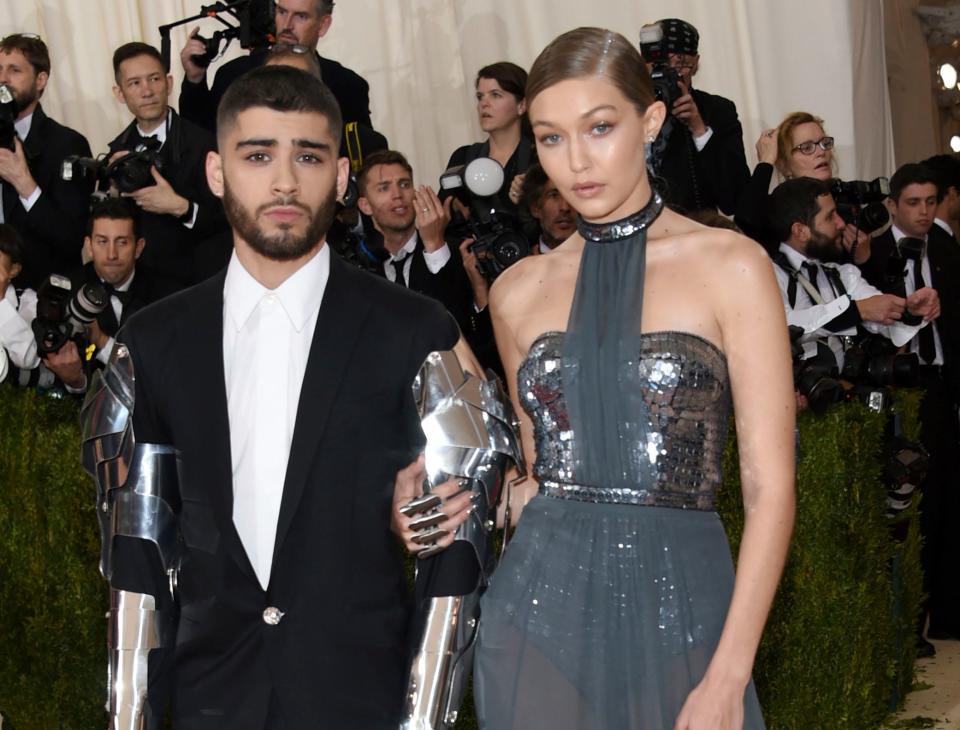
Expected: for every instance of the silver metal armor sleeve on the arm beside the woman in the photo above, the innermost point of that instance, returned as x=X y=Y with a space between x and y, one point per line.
x=472 y=434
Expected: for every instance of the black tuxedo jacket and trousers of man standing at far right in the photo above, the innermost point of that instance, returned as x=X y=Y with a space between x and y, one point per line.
x=940 y=506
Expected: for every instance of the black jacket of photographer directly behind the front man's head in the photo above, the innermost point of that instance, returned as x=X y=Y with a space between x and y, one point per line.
x=199 y=103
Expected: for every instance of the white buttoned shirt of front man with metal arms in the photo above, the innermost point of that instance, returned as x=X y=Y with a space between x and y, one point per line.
x=267 y=336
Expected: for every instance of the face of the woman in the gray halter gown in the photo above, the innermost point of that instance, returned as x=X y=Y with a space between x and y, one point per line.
x=590 y=141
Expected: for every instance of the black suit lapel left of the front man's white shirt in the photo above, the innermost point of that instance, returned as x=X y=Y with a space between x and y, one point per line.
x=204 y=339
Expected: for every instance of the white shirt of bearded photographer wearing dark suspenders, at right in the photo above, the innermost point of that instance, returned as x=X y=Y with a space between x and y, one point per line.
x=812 y=317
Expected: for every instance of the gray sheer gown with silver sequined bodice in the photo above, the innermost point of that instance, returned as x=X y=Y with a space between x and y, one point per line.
x=611 y=597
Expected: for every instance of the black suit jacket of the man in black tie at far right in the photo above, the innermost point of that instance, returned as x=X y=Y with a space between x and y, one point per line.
x=944 y=255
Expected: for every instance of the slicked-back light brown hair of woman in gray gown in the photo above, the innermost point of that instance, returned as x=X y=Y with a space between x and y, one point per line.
x=586 y=52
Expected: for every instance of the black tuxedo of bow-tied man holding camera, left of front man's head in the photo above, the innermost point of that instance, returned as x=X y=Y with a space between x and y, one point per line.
x=170 y=246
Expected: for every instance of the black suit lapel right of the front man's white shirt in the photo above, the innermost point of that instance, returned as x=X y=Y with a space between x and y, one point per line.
x=339 y=326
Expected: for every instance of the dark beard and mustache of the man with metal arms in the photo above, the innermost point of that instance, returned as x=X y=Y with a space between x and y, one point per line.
x=283 y=245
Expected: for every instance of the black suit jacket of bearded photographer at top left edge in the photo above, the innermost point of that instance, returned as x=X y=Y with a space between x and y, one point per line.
x=53 y=228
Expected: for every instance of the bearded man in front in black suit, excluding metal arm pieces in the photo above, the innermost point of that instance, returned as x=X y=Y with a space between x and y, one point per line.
x=284 y=384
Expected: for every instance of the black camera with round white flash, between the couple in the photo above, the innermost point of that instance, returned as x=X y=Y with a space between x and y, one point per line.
x=498 y=242
